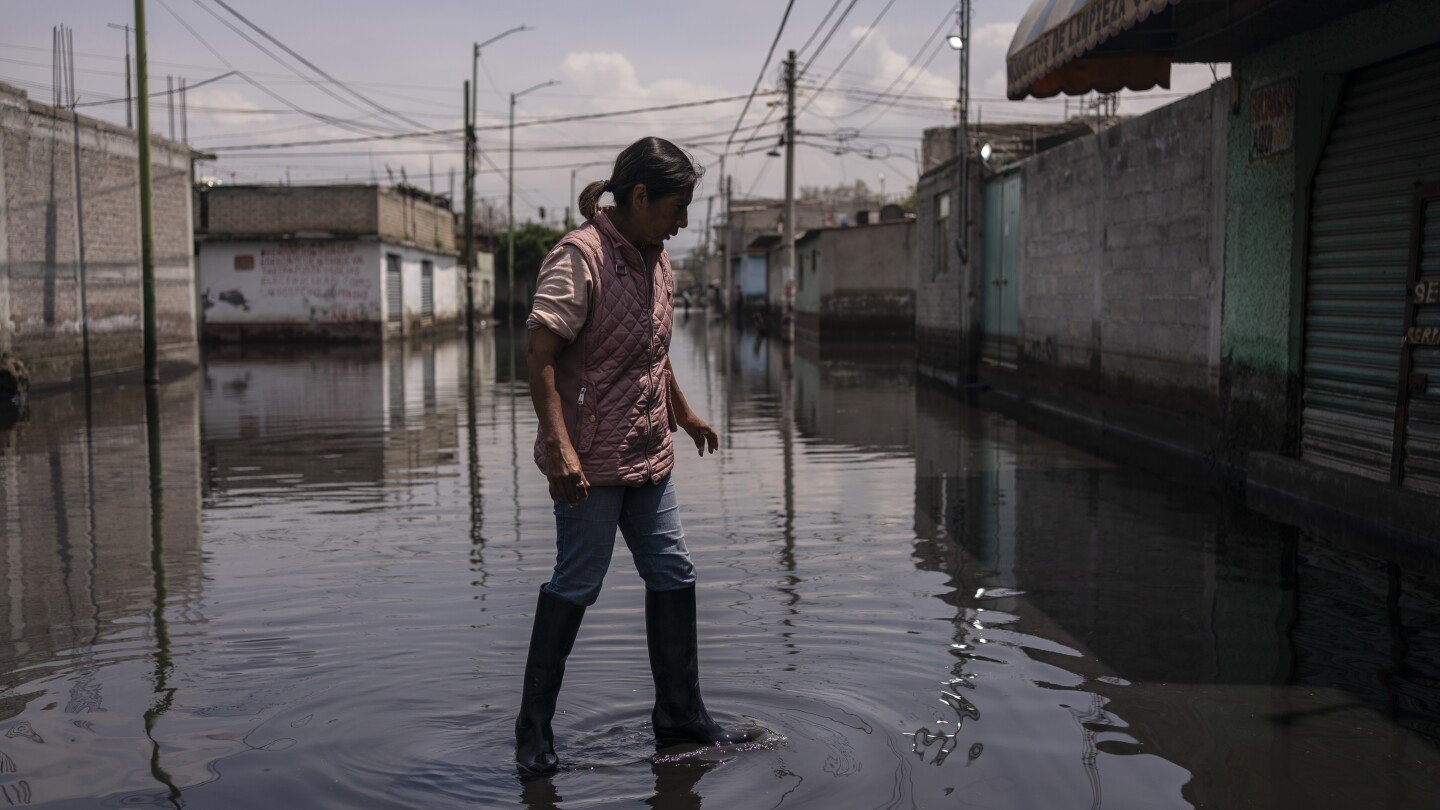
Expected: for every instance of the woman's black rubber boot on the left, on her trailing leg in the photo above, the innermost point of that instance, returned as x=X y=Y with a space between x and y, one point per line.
x=551 y=642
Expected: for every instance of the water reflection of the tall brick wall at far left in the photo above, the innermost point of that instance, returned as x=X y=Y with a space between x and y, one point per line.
x=77 y=547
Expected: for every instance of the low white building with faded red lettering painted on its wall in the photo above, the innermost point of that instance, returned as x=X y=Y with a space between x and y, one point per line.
x=342 y=263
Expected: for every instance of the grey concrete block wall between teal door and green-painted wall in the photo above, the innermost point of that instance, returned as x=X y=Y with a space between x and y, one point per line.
x=1122 y=259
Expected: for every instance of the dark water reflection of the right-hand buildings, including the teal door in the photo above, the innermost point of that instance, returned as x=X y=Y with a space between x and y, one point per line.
x=1233 y=638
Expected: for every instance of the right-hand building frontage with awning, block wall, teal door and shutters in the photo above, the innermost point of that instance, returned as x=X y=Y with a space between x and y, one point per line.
x=1246 y=276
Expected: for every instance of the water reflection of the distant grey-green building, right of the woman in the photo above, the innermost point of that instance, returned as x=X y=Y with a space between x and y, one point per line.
x=858 y=400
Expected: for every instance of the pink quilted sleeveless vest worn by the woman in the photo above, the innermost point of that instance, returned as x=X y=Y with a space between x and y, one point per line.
x=613 y=378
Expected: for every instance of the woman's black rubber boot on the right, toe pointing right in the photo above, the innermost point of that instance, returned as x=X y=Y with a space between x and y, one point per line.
x=680 y=716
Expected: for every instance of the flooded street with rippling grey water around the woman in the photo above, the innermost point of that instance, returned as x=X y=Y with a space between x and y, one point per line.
x=325 y=596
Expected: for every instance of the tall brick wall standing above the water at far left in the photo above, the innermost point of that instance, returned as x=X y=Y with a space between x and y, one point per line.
x=41 y=280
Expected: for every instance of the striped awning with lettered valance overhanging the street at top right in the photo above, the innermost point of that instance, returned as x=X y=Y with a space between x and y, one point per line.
x=1078 y=47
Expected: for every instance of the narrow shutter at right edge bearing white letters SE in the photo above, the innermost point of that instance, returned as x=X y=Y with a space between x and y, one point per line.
x=1422 y=459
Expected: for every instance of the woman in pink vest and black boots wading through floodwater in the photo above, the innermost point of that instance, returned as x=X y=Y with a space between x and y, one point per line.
x=608 y=401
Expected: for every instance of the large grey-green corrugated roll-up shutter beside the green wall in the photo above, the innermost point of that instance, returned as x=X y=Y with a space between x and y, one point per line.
x=1386 y=138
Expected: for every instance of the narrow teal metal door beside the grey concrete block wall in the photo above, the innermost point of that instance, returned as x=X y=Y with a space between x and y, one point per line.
x=1000 y=272
